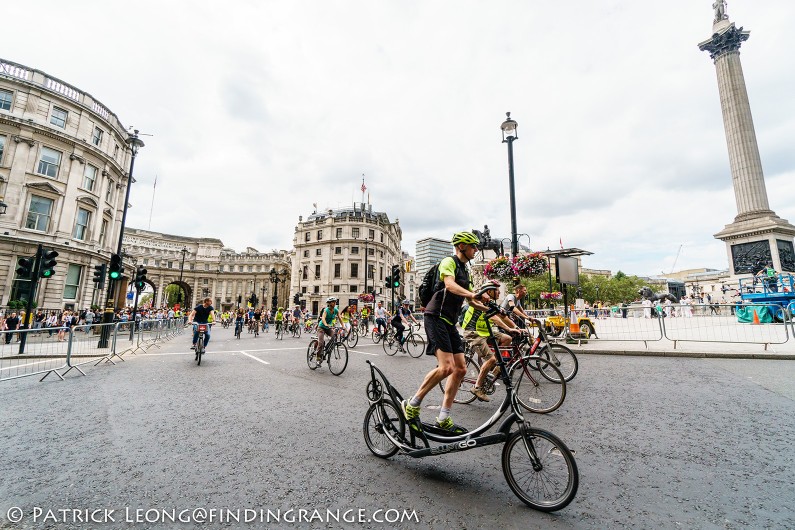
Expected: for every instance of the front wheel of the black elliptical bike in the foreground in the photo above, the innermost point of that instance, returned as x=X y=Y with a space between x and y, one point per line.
x=540 y=469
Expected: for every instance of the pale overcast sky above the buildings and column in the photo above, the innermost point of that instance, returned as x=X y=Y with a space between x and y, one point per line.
x=258 y=109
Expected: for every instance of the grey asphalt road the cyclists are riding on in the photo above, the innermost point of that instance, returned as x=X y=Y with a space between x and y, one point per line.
x=661 y=442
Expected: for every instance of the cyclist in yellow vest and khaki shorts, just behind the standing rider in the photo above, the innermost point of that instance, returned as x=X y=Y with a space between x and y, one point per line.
x=475 y=333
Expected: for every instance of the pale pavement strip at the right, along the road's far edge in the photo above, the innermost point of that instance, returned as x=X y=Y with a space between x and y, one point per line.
x=667 y=348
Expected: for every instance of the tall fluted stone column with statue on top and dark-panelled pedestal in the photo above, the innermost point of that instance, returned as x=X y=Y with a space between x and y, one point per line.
x=757 y=236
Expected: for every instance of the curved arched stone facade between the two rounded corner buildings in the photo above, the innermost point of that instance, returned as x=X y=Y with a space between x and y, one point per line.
x=205 y=268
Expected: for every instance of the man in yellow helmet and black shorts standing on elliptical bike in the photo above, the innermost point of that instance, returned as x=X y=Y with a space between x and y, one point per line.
x=443 y=339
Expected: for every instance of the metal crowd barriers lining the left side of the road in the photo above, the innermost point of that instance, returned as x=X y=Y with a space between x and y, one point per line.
x=59 y=350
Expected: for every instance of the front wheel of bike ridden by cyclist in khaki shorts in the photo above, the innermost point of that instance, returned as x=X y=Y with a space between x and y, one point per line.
x=534 y=392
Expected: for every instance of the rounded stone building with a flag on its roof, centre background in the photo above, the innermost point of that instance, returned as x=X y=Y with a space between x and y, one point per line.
x=333 y=249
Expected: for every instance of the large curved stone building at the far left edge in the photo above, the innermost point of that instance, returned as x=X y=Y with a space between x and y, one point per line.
x=64 y=163
